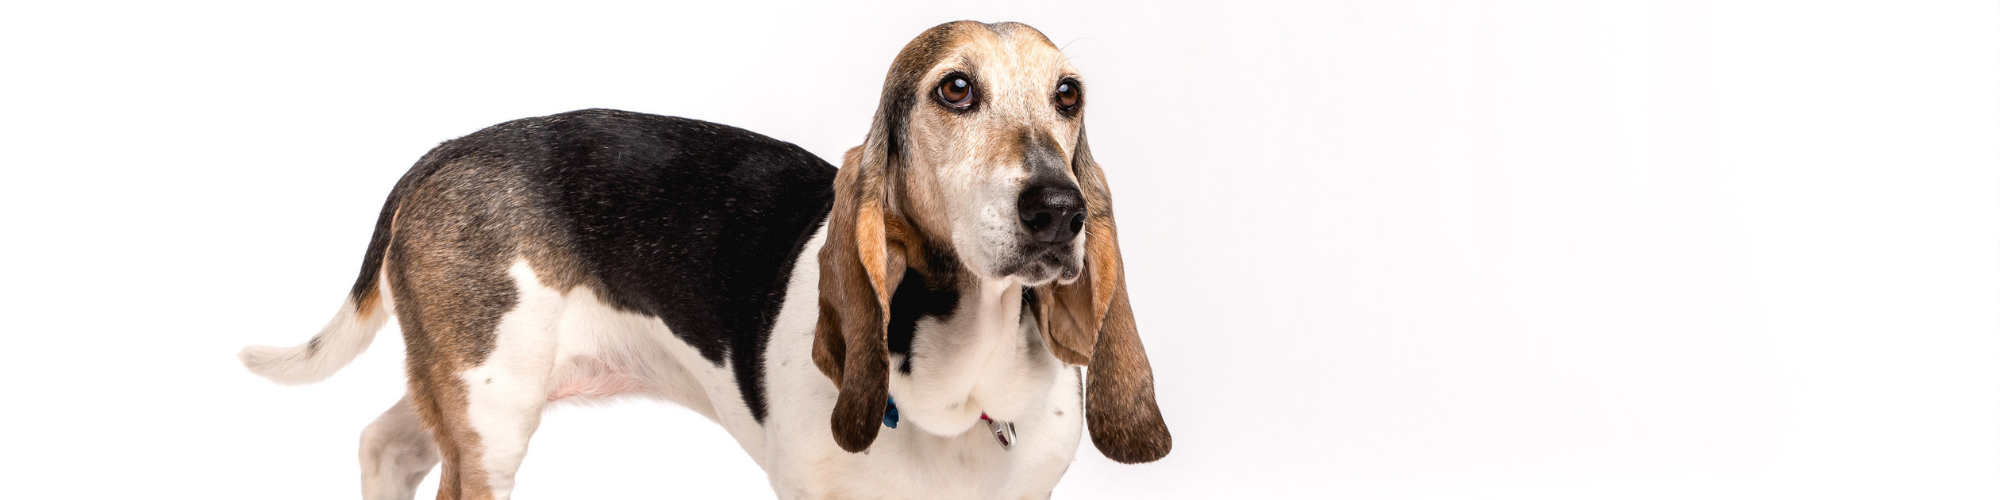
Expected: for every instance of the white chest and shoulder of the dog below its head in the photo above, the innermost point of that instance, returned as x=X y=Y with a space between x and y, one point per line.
x=941 y=453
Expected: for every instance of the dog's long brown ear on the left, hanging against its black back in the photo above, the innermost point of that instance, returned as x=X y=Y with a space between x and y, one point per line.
x=863 y=253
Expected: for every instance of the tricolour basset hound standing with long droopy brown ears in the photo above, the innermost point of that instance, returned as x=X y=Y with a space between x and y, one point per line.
x=911 y=325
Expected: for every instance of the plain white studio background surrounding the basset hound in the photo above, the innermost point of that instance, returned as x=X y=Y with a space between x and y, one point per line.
x=1377 y=249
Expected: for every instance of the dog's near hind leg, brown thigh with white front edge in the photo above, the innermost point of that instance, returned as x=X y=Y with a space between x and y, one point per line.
x=477 y=321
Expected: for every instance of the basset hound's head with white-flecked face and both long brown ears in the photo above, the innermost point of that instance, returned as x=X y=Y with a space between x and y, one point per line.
x=979 y=155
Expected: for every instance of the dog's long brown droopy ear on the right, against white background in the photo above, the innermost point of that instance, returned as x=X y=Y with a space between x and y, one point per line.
x=1091 y=323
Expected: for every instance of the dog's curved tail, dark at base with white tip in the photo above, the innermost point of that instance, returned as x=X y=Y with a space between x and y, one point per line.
x=351 y=331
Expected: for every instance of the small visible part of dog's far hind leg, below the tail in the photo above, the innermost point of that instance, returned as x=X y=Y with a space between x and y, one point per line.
x=397 y=453
